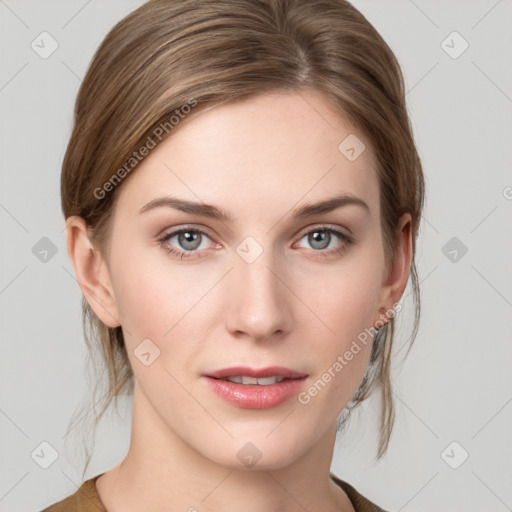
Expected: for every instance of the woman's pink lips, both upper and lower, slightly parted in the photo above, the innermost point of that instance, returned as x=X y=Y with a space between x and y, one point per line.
x=254 y=396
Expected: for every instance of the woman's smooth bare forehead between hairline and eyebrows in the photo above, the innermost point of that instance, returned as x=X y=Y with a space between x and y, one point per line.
x=278 y=149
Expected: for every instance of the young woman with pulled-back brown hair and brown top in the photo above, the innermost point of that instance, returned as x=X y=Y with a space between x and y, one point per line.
x=242 y=196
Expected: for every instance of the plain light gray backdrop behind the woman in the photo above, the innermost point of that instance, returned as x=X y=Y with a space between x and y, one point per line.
x=455 y=384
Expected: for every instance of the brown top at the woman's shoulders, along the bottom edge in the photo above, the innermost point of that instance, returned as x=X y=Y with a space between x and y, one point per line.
x=86 y=499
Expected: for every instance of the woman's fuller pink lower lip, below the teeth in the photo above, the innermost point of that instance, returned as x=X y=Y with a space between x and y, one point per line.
x=254 y=396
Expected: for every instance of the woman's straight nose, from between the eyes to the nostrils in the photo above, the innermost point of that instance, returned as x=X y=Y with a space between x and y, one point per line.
x=259 y=303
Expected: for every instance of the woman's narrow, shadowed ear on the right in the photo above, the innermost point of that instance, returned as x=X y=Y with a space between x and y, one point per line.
x=396 y=277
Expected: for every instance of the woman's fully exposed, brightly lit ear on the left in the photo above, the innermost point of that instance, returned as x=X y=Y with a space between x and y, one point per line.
x=91 y=271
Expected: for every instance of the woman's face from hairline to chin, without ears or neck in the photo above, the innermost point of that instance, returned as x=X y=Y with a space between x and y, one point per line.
x=266 y=287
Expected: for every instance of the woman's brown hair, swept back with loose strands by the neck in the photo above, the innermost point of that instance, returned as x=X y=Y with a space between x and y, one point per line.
x=169 y=53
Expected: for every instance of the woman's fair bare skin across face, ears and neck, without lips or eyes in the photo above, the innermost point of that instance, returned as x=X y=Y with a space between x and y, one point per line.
x=295 y=306
